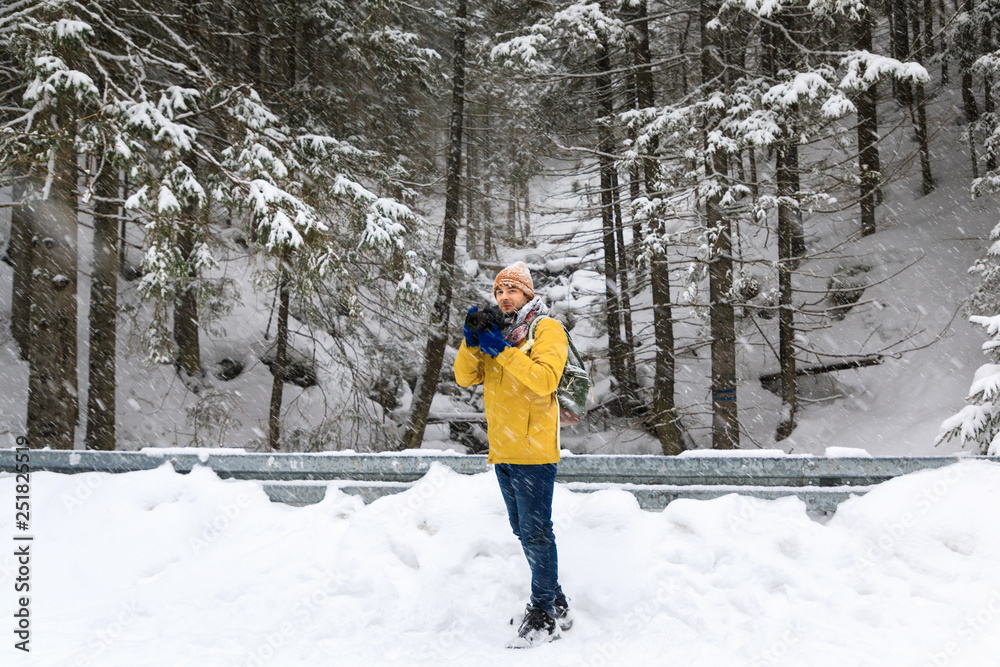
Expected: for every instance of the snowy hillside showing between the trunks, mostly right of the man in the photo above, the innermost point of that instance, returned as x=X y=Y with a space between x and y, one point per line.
x=916 y=272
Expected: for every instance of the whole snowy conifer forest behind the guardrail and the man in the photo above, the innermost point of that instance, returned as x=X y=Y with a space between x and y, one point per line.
x=259 y=225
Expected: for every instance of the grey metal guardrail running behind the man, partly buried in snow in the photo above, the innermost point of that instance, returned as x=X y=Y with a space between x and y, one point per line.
x=303 y=478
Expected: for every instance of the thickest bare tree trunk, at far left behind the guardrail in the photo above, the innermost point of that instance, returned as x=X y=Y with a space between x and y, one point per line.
x=53 y=404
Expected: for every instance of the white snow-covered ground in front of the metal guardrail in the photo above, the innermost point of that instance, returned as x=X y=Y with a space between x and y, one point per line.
x=156 y=568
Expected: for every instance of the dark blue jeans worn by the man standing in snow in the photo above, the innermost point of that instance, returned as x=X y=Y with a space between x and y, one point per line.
x=527 y=492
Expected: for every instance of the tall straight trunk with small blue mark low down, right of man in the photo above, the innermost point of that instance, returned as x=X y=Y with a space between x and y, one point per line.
x=725 y=416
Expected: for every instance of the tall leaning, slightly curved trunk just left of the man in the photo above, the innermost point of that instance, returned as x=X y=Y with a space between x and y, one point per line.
x=438 y=337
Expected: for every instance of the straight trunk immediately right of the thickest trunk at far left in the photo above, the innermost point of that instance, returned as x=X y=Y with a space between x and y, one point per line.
x=103 y=315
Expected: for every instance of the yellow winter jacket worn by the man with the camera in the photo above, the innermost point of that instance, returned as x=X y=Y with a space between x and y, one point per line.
x=522 y=414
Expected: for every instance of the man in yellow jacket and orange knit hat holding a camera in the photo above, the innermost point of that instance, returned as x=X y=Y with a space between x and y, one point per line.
x=522 y=417
